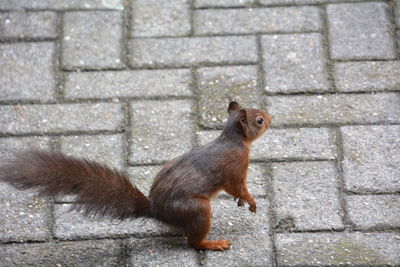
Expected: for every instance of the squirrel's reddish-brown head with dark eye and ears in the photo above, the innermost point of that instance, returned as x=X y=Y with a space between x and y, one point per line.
x=251 y=122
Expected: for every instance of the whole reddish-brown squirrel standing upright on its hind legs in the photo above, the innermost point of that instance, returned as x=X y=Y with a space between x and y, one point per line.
x=181 y=193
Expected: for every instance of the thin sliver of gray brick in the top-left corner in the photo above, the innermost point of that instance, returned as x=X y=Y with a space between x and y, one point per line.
x=61 y=4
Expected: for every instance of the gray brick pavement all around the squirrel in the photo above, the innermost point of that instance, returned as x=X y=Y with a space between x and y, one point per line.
x=135 y=83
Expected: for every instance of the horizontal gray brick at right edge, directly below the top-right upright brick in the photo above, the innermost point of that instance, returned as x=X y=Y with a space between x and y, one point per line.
x=367 y=76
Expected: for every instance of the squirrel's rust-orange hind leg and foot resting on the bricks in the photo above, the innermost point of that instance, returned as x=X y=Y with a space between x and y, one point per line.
x=199 y=226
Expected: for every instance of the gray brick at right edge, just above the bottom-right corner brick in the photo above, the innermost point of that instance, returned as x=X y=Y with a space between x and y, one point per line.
x=378 y=211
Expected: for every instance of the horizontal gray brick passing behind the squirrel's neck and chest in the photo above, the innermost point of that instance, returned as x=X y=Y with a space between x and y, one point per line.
x=280 y=144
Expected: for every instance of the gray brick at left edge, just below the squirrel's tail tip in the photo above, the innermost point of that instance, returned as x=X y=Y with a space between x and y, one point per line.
x=24 y=221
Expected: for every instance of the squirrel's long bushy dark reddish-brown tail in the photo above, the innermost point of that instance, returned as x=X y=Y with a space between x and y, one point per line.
x=98 y=189
